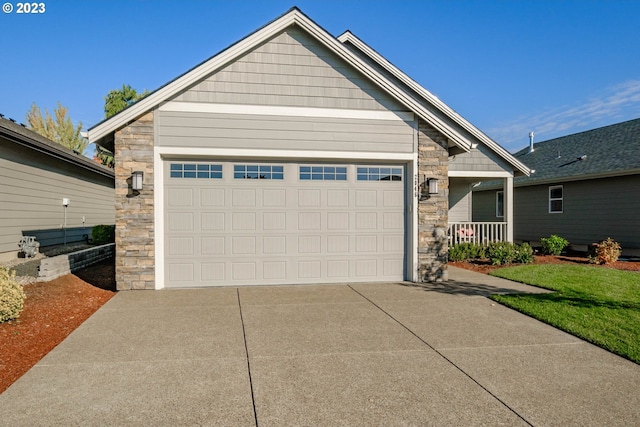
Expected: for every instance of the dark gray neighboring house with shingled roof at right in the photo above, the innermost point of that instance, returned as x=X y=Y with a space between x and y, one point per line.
x=586 y=187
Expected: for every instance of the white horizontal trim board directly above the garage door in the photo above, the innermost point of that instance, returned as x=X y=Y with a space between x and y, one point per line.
x=303 y=155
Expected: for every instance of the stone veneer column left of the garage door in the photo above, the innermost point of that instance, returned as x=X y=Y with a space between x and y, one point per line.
x=135 y=258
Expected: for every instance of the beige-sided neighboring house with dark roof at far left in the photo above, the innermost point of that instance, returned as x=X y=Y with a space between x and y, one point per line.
x=36 y=175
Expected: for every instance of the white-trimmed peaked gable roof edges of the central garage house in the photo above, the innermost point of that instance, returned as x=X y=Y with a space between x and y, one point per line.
x=457 y=130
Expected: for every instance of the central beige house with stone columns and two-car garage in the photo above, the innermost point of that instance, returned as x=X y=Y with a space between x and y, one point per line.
x=290 y=157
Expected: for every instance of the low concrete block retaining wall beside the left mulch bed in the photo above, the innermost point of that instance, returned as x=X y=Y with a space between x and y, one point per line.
x=54 y=267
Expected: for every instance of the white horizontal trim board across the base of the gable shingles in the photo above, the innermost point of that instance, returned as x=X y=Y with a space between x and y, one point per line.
x=268 y=110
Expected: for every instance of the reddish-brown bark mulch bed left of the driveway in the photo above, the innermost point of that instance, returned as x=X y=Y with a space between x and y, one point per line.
x=52 y=310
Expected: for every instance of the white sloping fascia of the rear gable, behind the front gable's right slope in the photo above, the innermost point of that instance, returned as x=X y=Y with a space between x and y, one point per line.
x=432 y=99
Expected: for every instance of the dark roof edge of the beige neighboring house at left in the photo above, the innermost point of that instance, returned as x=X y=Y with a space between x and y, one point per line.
x=21 y=135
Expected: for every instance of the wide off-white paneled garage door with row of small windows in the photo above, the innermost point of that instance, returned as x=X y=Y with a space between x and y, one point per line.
x=233 y=223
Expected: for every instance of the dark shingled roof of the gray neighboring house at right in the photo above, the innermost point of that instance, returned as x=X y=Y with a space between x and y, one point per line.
x=608 y=151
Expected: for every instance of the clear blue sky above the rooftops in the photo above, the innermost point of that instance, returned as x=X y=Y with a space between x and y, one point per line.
x=509 y=67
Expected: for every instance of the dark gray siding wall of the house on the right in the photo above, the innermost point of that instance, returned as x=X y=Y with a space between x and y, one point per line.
x=593 y=210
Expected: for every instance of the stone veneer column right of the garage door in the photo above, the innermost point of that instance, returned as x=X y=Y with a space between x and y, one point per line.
x=433 y=212
